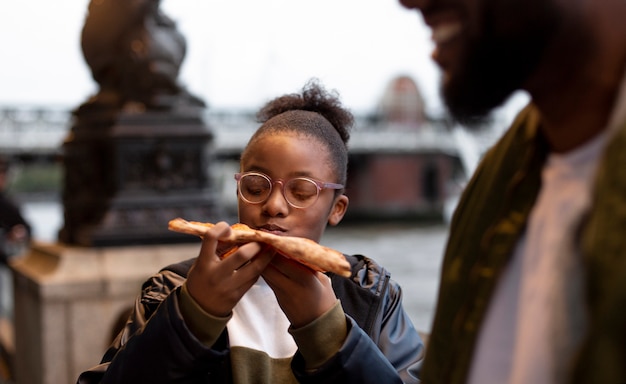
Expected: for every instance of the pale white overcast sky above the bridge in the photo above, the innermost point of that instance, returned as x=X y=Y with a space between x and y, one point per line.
x=240 y=52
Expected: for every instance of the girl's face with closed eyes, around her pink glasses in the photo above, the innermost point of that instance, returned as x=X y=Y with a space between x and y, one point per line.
x=282 y=157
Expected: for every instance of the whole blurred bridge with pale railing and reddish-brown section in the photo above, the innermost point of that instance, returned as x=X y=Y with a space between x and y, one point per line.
x=432 y=157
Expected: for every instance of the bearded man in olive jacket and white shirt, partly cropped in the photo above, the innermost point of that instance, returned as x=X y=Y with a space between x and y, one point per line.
x=533 y=284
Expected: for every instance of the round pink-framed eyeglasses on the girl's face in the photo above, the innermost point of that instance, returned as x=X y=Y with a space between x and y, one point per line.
x=299 y=192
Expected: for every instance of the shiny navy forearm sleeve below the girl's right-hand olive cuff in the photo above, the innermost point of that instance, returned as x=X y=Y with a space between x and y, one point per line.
x=358 y=361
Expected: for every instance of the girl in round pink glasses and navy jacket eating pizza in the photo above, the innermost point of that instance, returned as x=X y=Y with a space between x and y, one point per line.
x=256 y=316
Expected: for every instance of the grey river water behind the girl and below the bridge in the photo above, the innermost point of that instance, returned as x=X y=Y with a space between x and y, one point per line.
x=412 y=252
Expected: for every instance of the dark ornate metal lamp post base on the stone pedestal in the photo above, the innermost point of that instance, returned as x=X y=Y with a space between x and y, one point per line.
x=138 y=151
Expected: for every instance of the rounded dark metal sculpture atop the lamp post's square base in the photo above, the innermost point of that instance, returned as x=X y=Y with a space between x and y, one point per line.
x=135 y=54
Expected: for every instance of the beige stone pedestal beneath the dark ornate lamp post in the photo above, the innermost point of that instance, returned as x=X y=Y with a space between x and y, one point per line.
x=67 y=299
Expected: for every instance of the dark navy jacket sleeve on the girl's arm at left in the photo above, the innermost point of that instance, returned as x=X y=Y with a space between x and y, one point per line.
x=157 y=347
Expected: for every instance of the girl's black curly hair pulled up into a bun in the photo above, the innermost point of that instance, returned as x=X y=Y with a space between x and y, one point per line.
x=315 y=113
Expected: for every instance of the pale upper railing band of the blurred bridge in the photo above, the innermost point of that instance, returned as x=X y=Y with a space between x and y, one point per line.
x=40 y=132
